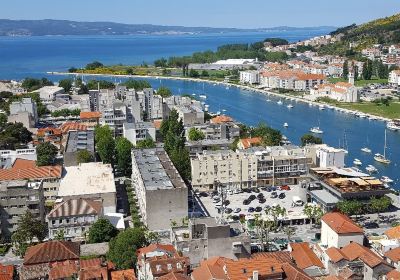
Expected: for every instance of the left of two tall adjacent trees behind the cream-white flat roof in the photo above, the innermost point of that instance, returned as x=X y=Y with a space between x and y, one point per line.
x=105 y=144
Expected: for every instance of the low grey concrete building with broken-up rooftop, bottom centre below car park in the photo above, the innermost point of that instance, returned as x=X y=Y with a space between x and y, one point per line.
x=205 y=238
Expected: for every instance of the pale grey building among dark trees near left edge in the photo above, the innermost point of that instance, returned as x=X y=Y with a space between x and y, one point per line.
x=24 y=111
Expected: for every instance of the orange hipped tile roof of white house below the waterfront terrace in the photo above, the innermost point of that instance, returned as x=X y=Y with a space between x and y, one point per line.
x=341 y=224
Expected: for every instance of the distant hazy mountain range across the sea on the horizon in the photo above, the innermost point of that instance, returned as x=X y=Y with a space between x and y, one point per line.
x=49 y=27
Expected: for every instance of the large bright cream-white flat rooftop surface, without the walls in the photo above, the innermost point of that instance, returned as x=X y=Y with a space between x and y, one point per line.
x=87 y=178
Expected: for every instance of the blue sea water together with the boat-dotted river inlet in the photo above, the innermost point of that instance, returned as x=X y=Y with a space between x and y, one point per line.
x=22 y=57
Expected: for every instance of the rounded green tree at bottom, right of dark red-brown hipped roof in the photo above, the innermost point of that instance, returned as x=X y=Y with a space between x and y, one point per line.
x=123 y=247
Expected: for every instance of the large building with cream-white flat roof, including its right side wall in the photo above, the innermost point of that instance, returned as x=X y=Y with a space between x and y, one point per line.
x=93 y=180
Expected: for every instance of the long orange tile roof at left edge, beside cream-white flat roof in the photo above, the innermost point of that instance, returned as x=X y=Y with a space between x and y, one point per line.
x=31 y=173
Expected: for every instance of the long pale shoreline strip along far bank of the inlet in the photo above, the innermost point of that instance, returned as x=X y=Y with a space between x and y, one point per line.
x=244 y=87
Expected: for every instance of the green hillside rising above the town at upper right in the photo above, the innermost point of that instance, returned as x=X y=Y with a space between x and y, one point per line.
x=380 y=31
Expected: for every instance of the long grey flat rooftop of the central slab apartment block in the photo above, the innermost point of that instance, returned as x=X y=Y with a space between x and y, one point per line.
x=157 y=170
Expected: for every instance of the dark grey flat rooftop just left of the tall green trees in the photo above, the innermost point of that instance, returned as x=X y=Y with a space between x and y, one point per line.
x=80 y=140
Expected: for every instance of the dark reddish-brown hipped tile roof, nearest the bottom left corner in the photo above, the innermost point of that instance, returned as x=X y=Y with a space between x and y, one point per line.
x=52 y=251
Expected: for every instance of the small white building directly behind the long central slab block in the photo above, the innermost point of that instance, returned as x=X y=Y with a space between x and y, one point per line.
x=139 y=131
